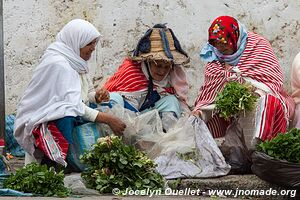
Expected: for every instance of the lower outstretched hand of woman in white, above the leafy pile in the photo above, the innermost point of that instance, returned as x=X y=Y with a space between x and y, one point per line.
x=113 y=122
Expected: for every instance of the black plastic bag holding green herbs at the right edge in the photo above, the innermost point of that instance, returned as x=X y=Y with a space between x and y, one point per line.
x=280 y=172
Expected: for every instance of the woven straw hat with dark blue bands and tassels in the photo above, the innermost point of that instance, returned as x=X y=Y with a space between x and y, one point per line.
x=160 y=43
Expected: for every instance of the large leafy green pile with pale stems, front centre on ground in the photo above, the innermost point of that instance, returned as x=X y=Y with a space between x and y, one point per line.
x=112 y=164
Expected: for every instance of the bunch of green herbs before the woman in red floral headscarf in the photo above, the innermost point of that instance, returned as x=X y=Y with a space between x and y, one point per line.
x=235 y=98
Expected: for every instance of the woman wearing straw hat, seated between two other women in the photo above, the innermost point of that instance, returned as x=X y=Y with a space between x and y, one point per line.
x=153 y=78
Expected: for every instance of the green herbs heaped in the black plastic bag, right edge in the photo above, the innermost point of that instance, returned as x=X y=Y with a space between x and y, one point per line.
x=283 y=146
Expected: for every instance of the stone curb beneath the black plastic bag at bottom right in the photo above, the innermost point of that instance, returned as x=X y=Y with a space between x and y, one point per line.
x=238 y=184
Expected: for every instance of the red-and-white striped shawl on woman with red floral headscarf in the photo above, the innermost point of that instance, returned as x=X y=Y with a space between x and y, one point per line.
x=258 y=62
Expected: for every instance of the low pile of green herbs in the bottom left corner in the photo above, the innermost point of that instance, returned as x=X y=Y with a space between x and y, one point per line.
x=38 y=179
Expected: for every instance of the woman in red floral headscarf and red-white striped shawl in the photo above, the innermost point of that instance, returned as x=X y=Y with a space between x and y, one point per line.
x=235 y=54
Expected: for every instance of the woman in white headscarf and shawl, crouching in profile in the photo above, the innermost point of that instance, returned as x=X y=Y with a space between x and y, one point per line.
x=56 y=97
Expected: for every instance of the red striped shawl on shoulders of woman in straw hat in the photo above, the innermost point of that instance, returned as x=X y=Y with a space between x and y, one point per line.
x=130 y=78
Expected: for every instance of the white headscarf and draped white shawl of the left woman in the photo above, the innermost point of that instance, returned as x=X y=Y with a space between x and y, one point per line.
x=55 y=89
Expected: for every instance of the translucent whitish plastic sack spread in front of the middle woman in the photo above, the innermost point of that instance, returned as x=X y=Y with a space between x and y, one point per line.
x=186 y=150
